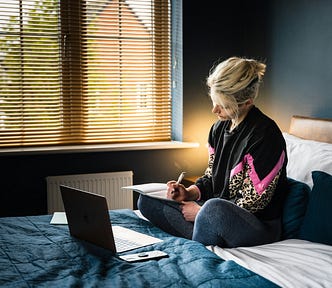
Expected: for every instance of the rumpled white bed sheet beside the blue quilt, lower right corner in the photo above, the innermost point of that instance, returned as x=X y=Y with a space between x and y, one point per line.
x=289 y=263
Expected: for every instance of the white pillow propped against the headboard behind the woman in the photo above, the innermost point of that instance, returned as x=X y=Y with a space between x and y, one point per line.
x=305 y=156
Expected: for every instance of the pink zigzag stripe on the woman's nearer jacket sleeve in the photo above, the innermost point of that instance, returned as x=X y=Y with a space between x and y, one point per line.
x=260 y=185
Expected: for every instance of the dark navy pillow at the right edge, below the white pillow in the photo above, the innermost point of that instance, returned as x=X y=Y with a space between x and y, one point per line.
x=317 y=224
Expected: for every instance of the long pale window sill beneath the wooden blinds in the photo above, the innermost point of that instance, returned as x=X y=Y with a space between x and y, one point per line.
x=99 y=148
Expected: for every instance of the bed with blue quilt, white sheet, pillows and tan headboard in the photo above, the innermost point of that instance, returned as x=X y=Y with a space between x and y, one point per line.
x=35 y=253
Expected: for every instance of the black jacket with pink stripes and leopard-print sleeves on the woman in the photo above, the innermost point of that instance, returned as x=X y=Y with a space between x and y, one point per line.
x=247 y=165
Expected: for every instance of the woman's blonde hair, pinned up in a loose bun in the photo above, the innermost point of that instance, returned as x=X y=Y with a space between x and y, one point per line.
x=234 y=81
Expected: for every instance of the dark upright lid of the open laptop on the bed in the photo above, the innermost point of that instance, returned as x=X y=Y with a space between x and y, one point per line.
x=88 y=217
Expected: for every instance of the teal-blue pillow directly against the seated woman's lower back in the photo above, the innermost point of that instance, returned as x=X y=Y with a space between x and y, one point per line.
x=295 y=206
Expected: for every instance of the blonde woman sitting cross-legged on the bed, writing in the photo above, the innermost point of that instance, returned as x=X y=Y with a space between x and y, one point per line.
x=238 y=201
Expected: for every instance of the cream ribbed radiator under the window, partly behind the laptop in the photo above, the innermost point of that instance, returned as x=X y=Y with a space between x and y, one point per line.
x=106 y=184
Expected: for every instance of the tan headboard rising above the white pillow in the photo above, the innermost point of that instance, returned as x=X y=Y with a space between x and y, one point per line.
x=310 y=128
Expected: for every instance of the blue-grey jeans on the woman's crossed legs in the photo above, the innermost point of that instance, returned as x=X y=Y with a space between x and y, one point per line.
x=219 y=222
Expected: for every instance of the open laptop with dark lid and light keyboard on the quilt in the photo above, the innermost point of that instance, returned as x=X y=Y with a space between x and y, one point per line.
x=88 y=219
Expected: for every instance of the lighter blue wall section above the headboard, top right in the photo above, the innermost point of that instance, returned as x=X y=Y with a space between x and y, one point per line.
x=300 y=60
